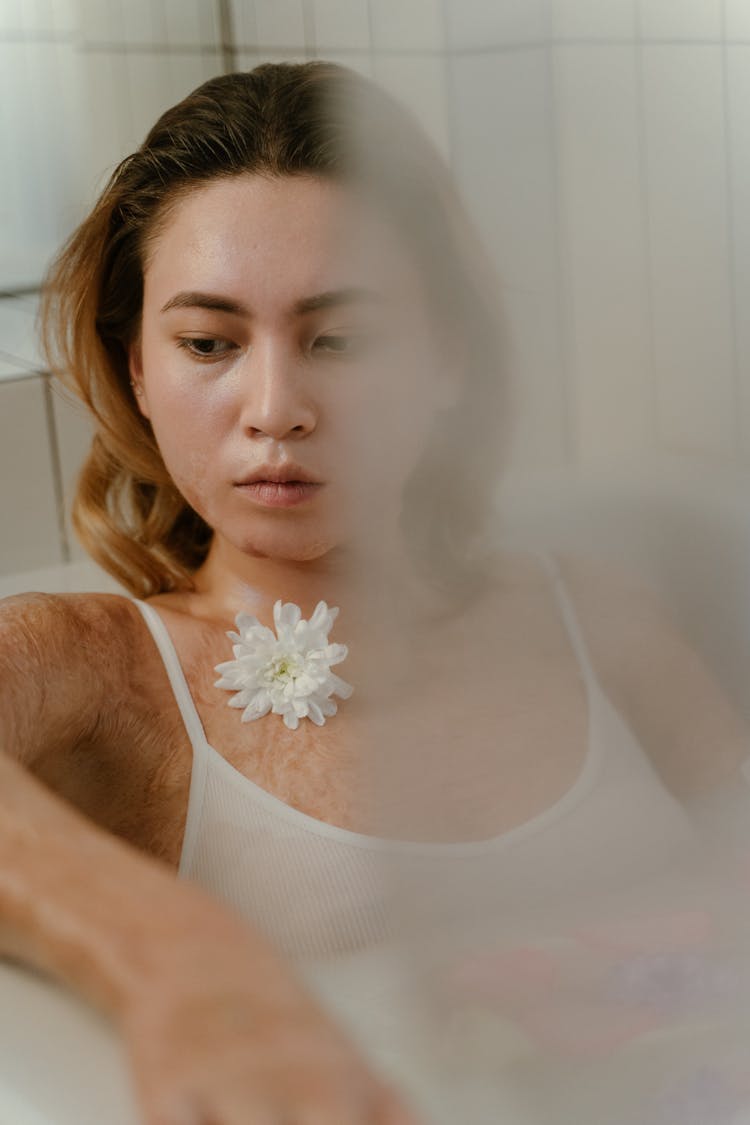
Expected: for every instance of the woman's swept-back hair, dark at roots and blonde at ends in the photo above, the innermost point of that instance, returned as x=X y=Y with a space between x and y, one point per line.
x=279 y=120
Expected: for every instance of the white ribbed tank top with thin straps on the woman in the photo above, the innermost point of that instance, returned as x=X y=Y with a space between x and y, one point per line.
x=320 y=892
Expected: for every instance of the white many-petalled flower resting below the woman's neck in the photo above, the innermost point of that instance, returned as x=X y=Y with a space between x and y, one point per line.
x=287 y=673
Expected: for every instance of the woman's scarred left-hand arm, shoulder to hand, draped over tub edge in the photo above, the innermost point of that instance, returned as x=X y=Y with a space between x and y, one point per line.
x=216 y=1028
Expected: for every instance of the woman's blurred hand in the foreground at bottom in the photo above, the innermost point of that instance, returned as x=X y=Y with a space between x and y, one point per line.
x=221 y=1034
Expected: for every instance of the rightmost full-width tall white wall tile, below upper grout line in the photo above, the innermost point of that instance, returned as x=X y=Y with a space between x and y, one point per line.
x=688 y=195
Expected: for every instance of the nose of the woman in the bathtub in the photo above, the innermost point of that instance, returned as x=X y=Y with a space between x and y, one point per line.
x=277 y=398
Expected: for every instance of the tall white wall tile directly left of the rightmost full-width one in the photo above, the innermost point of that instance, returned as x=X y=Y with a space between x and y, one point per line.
x=604 y=250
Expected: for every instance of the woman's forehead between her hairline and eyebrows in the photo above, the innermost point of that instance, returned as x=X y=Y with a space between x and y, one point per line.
x=285 y=237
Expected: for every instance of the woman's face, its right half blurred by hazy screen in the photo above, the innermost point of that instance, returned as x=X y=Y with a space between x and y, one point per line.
x=288 y=364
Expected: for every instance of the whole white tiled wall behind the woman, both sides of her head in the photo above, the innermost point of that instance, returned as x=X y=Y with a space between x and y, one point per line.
x=610 y=175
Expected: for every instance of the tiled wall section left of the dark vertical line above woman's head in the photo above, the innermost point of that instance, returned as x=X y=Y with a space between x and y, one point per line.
x=91 y=94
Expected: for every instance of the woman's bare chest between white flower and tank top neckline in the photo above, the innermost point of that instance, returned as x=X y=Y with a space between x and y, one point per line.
x=466 y=753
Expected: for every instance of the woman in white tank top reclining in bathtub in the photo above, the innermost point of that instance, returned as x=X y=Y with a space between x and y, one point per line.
x=283 y=328
